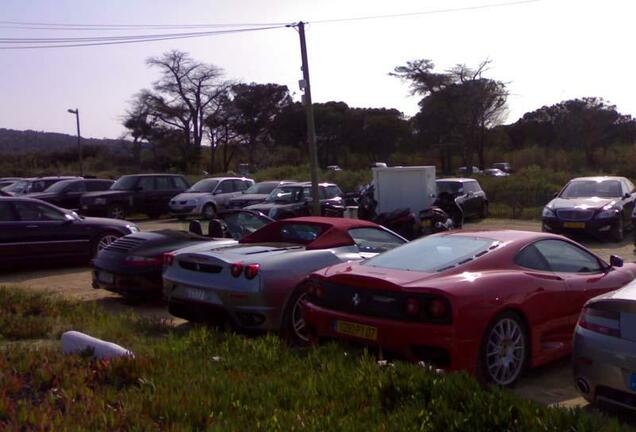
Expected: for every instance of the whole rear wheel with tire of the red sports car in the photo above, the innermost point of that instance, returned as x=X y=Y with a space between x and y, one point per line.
x=502 y=359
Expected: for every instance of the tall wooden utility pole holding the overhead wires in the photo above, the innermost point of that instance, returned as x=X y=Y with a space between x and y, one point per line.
x=311 y=127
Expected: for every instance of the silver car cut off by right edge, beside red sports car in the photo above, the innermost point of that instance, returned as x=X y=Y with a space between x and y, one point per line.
x=604 y=354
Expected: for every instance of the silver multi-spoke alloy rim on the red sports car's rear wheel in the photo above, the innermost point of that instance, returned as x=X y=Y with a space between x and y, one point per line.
x=505 y=351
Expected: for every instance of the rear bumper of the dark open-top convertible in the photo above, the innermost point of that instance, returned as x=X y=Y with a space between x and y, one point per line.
x=144 y=283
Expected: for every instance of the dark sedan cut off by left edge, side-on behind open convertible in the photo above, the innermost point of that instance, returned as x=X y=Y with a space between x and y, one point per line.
x=35 y=231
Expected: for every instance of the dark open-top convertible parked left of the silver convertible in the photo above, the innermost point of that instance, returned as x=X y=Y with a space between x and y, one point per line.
x=132 y=265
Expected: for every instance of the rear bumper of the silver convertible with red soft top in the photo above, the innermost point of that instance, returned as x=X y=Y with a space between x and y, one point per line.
x=245 y=310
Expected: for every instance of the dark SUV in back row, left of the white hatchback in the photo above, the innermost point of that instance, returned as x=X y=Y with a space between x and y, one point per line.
x=138 y=193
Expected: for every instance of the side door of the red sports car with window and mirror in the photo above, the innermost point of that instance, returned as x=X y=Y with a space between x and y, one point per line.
x=585 y=275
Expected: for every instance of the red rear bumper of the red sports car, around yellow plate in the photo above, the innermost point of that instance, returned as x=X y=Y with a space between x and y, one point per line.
x=434 y=344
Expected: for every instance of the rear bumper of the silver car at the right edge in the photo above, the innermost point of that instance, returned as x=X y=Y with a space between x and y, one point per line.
x=605 y=368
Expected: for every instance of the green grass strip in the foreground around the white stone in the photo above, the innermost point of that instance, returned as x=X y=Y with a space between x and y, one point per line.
x=194 y=378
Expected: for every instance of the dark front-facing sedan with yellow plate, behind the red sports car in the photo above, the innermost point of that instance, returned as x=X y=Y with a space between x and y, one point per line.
x=599 y=206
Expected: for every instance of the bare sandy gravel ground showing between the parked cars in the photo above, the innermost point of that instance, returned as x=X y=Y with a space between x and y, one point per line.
x=551 y=384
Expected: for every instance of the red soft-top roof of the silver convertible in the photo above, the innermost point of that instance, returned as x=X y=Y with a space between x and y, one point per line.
x=334 y=231
